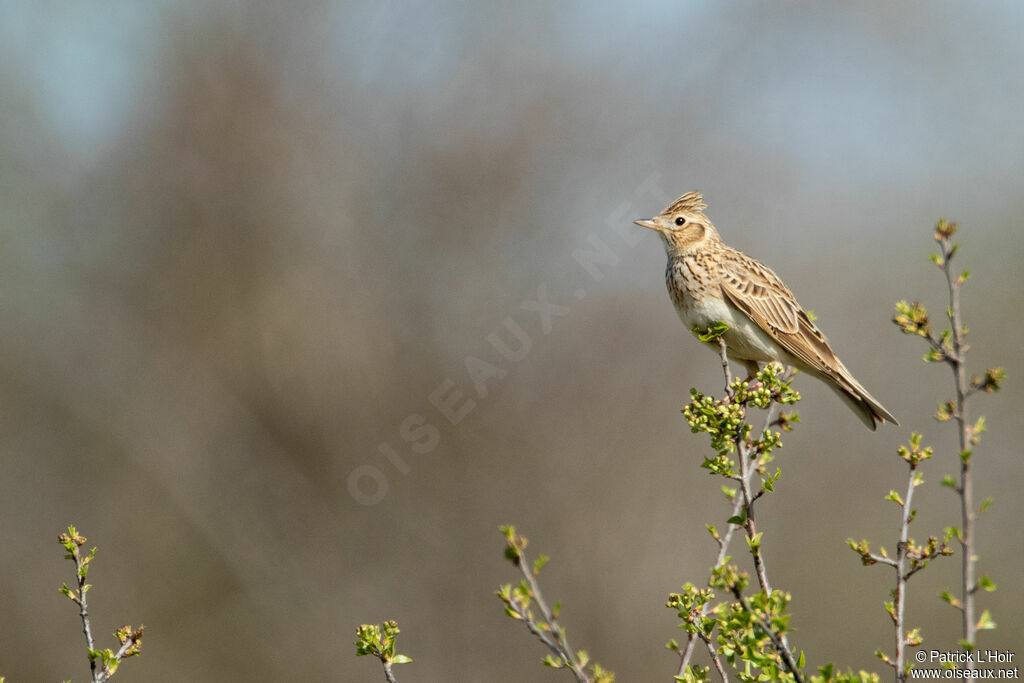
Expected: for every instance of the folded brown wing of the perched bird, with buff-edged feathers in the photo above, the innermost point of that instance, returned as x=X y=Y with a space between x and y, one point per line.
x=758 y=292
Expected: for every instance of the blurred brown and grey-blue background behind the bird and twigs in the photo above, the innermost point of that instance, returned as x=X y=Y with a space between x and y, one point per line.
x=302 y=302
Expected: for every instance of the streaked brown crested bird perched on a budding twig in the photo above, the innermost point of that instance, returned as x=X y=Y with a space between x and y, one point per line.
x=711 y=283
